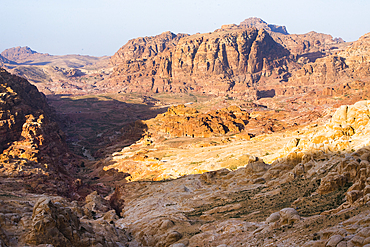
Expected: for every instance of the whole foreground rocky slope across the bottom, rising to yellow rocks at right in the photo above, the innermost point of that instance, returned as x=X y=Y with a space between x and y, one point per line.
x=314 y=193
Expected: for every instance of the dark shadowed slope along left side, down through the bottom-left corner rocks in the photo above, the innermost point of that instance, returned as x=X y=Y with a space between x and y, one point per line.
x=35 y=167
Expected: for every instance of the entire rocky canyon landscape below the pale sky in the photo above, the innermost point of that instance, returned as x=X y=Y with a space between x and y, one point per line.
x=244 y=136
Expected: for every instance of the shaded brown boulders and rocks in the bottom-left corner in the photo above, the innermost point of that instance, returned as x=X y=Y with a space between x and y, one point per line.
x=50 y=220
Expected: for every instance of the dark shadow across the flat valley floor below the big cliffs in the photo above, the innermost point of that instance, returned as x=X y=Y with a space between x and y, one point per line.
x=95 y=121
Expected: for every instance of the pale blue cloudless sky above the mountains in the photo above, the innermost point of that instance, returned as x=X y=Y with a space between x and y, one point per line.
x=101 y=27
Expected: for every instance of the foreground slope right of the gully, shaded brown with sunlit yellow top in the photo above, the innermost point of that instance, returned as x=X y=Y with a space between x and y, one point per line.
x=316 y=192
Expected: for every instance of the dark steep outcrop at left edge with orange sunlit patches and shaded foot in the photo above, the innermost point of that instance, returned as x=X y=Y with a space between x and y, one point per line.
x=31 y=143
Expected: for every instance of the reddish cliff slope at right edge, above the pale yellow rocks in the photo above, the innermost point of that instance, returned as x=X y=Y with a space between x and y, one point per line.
x=344 y=73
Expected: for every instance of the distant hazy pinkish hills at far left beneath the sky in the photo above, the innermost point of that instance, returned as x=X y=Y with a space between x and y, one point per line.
x=56 y=74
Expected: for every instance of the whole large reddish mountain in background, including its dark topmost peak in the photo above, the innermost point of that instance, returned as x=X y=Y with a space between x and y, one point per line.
x=236 y=59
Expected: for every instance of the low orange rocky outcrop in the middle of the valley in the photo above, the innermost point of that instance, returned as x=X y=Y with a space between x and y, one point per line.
x=182 y=121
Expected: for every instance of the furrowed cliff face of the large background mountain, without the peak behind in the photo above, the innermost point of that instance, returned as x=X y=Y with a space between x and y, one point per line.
x=201 y=62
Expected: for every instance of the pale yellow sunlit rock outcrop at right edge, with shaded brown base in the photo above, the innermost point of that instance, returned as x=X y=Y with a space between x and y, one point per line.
x=347 y=131
